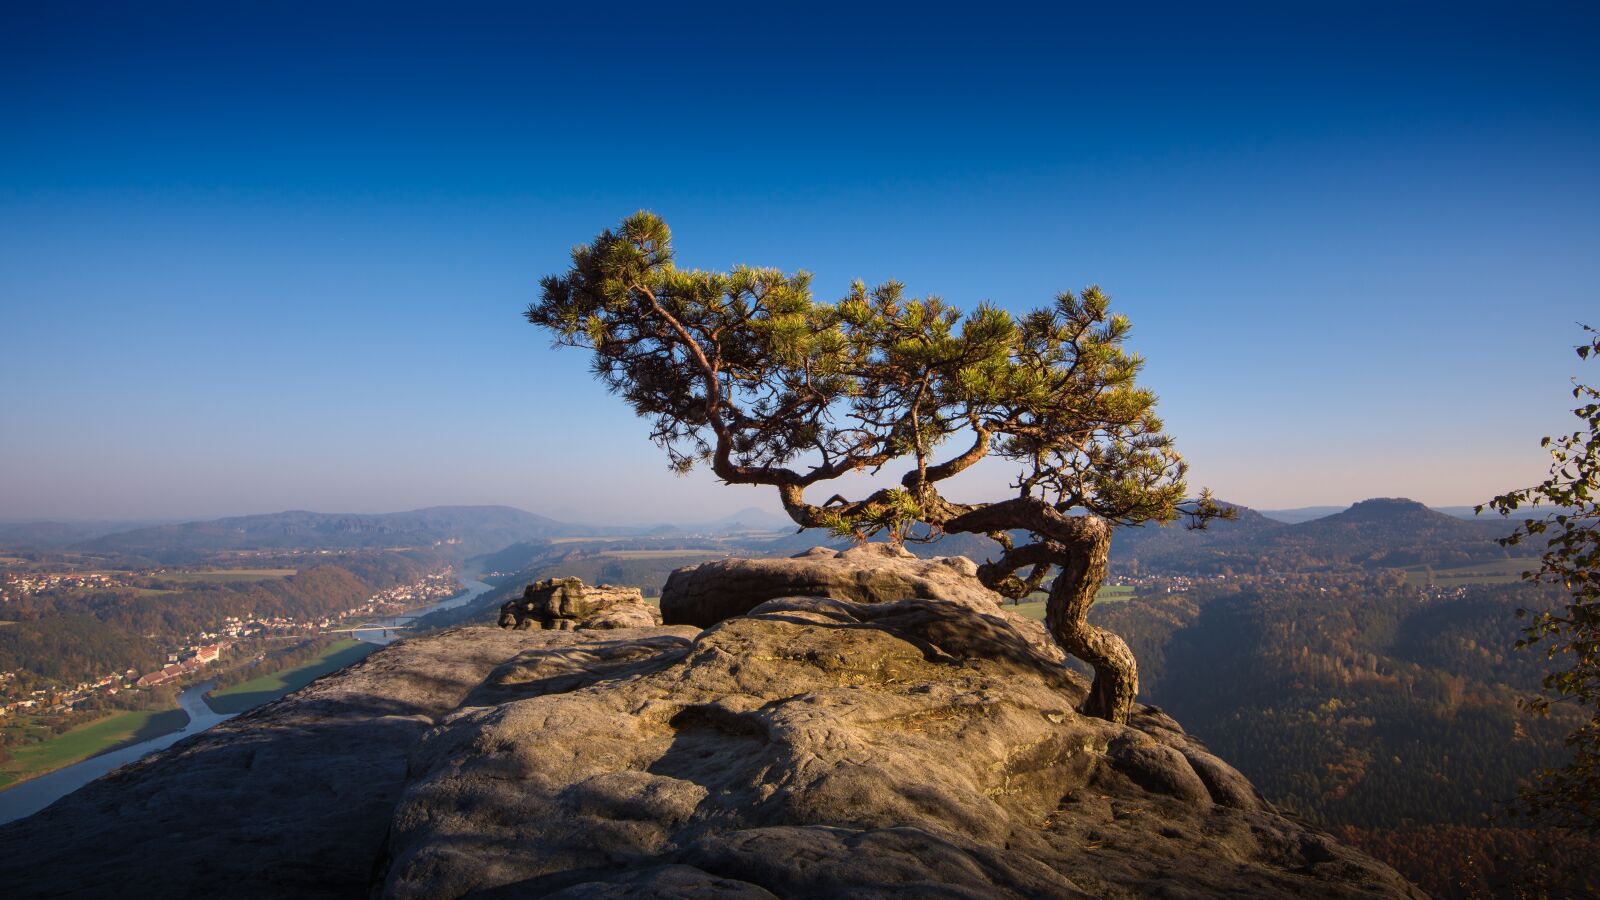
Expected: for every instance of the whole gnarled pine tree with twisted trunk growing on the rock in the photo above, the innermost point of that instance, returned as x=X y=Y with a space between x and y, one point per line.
x=750 y=374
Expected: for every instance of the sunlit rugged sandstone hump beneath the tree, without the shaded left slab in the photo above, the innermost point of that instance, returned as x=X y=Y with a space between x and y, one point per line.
x=822 y=747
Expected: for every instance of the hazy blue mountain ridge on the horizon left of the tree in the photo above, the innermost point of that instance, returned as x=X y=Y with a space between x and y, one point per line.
x=465 y=531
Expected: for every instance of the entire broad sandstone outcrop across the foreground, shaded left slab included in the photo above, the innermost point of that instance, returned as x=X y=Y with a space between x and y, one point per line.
x=815 y=747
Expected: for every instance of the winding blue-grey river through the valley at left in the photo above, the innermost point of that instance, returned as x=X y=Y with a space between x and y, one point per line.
x=38 y=794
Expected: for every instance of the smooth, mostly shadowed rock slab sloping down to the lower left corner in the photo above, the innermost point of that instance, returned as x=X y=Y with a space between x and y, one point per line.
x=290 y=800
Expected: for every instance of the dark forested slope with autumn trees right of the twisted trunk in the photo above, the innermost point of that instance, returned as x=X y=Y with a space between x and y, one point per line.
x=1362 y=701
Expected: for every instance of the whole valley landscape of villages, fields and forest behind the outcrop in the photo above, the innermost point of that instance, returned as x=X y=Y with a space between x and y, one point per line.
x=1358 y=667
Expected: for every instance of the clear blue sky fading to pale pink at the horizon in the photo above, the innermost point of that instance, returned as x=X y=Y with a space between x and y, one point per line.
x=276 y=257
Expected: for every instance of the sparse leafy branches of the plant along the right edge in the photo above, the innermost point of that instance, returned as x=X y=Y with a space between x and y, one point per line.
x=1570 y=635
